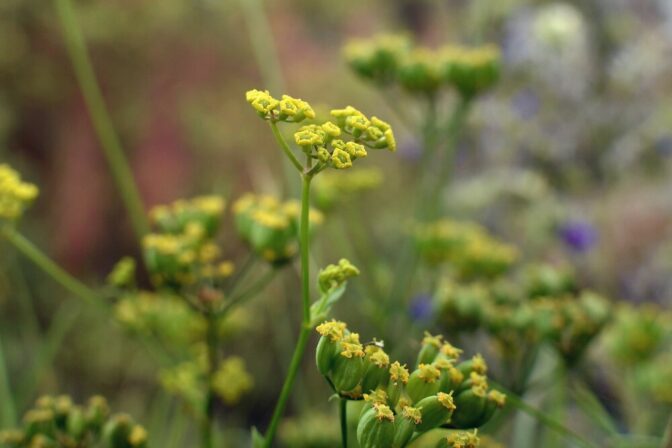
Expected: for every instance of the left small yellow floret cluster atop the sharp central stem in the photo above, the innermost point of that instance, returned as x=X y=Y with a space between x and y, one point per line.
x=288 y=109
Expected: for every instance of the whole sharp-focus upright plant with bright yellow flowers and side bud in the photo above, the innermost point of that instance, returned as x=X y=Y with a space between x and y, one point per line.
x=336 y=144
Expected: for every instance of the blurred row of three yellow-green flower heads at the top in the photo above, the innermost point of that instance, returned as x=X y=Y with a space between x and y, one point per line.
x=387 y=60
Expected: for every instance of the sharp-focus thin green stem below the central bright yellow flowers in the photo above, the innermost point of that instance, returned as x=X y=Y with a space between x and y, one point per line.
x=302 y=342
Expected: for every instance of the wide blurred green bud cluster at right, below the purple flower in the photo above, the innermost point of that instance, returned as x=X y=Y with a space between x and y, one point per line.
x=542 y=304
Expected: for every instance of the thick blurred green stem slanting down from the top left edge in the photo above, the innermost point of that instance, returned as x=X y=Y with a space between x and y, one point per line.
x=102 y=122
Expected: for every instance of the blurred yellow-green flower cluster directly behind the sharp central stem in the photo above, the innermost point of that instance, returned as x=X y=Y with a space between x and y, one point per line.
x=270 y=226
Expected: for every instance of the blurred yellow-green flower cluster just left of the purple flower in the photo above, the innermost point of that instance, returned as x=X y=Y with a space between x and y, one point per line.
x=466 y=246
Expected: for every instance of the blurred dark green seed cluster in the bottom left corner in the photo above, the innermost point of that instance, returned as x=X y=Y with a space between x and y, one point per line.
x=57 y=422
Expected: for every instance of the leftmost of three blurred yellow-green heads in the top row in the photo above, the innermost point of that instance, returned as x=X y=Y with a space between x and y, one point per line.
x=377 y=59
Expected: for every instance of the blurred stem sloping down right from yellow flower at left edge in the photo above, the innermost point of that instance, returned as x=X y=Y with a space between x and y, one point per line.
x=62 y=277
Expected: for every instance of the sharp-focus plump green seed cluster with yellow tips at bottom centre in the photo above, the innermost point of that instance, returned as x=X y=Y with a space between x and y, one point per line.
x=440 y=392
